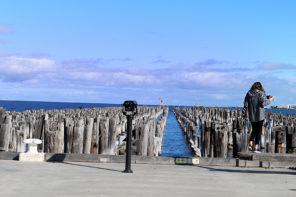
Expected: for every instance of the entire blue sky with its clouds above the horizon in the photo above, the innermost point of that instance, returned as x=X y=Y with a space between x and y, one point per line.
x=189 y=52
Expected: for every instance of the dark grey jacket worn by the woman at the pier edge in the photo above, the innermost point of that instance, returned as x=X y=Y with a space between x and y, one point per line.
x=254 y=103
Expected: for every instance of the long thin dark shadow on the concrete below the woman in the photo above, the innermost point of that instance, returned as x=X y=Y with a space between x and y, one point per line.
x=248 y=171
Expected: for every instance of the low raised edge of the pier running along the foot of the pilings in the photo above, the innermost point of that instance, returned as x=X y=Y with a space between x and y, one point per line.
x=245 y=159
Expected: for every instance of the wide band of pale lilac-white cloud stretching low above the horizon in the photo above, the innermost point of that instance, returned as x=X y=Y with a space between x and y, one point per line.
x=94 y=78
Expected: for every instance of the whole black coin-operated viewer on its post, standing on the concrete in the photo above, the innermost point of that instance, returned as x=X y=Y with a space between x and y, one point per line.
x=129 y=108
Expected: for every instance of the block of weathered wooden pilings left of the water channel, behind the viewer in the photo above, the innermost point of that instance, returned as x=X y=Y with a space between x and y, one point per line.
x=83 y=131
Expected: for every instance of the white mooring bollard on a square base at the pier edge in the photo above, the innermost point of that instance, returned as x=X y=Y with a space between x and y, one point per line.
x=31 y=153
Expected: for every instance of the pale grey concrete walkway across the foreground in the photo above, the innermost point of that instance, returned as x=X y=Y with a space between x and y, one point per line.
x=106 y=179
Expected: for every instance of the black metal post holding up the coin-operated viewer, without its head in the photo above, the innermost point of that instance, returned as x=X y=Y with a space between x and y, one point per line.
x=128 y=145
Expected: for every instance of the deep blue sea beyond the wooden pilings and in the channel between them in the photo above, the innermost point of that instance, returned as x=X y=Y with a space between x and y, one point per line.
x=174 y=144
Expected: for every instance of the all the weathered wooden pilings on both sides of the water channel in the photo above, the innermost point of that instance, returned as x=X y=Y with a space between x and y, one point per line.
x=210 y=132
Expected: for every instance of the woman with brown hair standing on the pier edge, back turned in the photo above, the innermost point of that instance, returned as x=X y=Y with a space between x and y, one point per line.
x=254 y=104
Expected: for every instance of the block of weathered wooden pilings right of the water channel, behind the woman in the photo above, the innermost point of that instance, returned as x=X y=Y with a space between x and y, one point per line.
x=221 y=132
